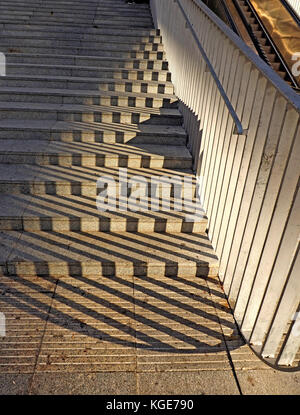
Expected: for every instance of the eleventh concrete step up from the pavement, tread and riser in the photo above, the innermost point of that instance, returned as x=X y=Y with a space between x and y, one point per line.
x=122 y=54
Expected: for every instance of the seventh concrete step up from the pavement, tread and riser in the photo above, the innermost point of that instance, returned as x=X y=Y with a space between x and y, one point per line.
x=87 y=97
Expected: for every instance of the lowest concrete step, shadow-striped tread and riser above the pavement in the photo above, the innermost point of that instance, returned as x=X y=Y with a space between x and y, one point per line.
x=61 y=254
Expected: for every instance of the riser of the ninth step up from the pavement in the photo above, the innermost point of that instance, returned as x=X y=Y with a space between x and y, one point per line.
x=89 y=73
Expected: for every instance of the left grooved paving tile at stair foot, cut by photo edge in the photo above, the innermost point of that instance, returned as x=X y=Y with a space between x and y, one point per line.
x=25 y=304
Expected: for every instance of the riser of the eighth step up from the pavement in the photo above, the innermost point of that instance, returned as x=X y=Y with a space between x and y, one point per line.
x=91 y=86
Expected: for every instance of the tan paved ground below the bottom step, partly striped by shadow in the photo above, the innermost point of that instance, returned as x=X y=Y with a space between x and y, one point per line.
x=141 y=335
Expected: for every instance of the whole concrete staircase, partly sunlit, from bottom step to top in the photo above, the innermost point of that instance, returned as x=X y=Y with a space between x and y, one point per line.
x=85 y=94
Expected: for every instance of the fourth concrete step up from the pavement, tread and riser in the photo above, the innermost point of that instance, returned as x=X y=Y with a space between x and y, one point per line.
x=59 y=153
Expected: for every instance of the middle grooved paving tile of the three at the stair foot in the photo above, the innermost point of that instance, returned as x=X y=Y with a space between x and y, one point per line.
x=90 y=327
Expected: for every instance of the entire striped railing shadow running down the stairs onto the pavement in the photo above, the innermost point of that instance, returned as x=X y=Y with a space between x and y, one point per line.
x=180 y=304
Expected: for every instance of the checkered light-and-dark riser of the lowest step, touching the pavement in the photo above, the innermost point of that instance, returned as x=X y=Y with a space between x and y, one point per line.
x=92 y=268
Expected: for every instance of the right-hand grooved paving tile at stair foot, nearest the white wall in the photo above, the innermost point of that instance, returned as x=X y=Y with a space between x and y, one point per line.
x=181 y=318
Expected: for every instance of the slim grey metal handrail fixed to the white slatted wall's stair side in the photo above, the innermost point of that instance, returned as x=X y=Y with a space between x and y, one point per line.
x=238 y=124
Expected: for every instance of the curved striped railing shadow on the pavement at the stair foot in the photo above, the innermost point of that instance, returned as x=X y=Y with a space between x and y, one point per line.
x=203 y=307
